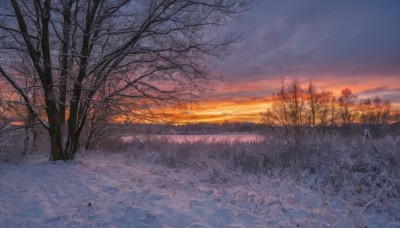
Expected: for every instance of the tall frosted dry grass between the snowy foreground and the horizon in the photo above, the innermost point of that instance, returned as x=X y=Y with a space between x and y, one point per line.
x=368 y=173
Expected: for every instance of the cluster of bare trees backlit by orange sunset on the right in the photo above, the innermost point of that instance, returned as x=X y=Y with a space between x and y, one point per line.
x=295 y=105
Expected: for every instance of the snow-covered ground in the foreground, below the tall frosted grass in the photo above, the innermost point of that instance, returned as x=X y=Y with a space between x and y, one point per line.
x=113 y=190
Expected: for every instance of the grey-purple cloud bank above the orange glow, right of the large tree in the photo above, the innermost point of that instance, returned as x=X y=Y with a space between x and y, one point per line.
x=312 y=37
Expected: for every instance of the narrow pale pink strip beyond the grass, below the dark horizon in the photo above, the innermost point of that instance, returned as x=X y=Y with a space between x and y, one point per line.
x=196 y=138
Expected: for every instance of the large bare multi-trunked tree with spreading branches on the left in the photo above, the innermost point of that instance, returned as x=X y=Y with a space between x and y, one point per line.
x=153 y=49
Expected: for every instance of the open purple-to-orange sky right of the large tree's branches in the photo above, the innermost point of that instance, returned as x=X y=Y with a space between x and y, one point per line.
x=336 y=44
